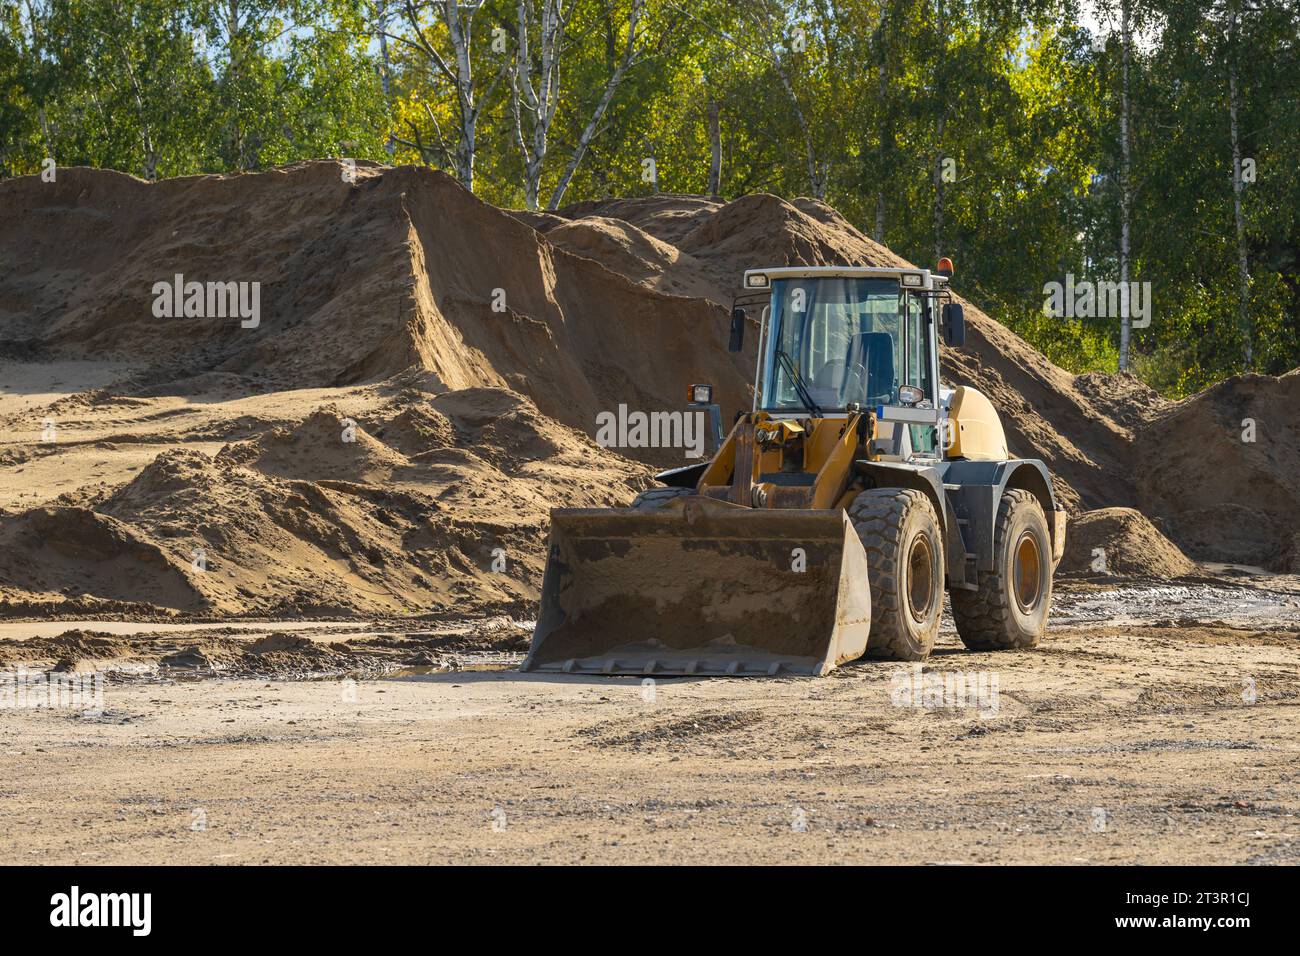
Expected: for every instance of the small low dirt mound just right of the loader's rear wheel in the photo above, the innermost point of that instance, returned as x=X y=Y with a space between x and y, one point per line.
x=1121 y=542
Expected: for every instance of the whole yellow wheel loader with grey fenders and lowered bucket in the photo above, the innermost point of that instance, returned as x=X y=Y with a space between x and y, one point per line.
x=829 y=524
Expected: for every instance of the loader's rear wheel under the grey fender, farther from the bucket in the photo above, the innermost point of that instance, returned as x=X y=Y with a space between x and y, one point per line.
x=1011 y=607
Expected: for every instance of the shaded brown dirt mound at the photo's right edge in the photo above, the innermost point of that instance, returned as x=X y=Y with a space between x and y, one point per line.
x=1223 y=469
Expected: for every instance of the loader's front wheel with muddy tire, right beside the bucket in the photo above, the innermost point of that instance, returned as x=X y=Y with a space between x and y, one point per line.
x=905 y=556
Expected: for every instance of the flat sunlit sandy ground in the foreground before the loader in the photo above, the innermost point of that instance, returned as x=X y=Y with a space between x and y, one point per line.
x=1141 y=745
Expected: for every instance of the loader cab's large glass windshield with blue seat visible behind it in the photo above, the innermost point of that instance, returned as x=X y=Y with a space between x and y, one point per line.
x=843 y=340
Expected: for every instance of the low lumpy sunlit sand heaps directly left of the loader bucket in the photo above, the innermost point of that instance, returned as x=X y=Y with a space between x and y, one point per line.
x=323 y=518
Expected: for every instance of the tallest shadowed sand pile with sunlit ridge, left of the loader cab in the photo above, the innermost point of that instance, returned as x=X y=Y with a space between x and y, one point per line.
x=356 y=283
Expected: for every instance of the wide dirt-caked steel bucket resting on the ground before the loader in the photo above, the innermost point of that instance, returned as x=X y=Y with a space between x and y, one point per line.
x=701 y=589
